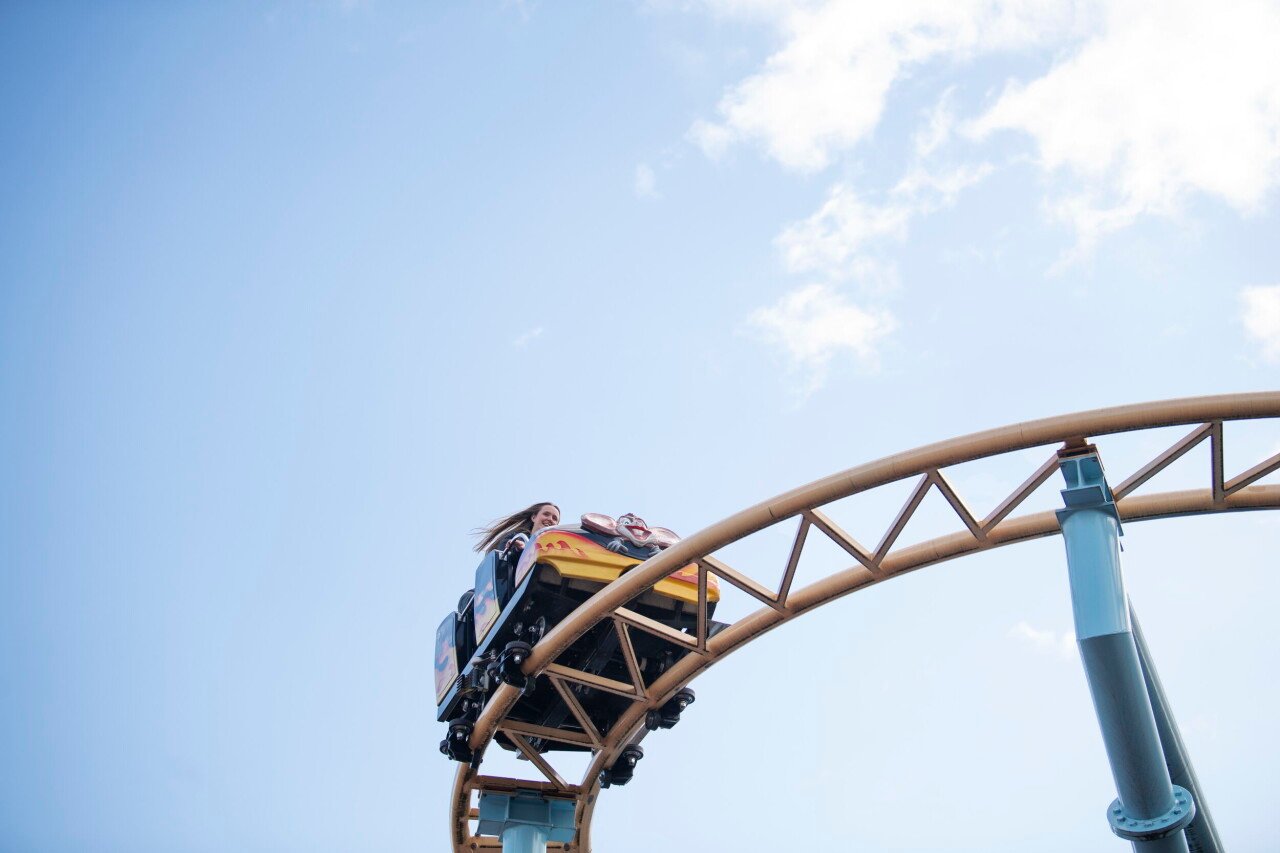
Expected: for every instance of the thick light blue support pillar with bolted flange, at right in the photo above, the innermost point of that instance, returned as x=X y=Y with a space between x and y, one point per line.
x=1151 y=811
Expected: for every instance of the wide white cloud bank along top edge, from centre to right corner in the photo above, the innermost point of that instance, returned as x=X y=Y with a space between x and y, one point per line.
x=1144 y=107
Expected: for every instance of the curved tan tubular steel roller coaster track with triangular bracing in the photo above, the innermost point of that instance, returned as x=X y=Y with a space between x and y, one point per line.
x=1224 y=494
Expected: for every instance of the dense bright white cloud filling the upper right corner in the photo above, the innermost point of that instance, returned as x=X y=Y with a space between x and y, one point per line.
x=1165 y=101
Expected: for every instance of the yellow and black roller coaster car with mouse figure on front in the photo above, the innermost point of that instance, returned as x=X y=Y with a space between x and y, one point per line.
x=522 y=595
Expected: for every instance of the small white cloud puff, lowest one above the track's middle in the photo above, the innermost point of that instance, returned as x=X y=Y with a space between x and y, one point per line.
x=815 y=323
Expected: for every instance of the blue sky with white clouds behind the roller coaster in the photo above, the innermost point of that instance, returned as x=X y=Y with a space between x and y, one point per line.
x=292 y=297
